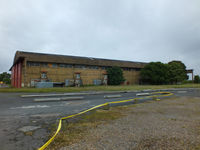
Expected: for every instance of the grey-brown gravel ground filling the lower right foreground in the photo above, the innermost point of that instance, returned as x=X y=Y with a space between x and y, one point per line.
x=171 y=124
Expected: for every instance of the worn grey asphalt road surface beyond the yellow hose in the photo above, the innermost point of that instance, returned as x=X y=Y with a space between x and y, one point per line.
x=18 y=114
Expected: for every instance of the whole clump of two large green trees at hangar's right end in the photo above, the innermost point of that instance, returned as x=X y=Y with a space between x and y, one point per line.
x=158 y=73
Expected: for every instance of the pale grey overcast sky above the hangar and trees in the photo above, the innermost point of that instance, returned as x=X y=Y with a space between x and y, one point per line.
x=136 y=30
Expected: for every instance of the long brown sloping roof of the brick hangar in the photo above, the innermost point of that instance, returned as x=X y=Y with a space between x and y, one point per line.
x=53 y=58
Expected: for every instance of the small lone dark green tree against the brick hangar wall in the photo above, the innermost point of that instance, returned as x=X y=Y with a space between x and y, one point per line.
x=115 y=76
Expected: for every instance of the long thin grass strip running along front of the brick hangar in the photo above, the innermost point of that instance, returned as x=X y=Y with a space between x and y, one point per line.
x=96 y=88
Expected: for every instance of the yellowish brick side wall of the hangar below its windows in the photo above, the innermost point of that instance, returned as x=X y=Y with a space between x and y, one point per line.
x=60 y=74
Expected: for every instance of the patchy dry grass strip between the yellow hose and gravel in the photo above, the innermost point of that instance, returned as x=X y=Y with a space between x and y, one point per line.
x=73 y=132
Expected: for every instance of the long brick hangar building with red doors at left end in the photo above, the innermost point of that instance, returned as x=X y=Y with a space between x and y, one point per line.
x=29 y=69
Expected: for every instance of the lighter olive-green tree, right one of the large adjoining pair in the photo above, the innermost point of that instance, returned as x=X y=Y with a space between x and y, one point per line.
x=177 y=72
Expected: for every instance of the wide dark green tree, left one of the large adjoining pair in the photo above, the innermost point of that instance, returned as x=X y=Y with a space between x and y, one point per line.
x=155 y=73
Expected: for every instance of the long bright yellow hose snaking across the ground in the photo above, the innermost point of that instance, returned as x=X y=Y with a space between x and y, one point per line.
x=165 y=94
